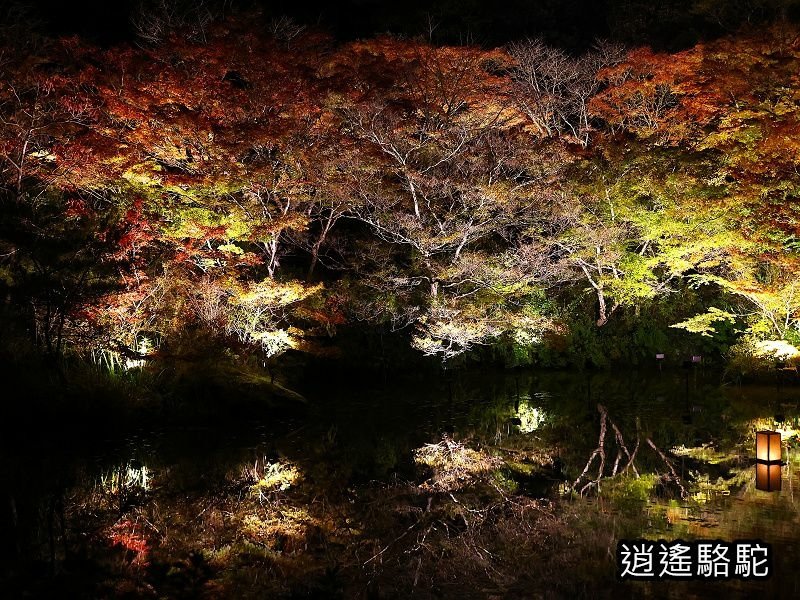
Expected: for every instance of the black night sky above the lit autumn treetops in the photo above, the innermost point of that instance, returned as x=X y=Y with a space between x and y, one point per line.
x=665 y=24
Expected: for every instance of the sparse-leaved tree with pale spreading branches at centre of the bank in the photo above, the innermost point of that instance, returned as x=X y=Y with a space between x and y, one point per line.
x=446 y=138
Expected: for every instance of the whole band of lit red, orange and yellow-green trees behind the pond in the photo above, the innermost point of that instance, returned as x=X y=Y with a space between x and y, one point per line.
x=259 y=184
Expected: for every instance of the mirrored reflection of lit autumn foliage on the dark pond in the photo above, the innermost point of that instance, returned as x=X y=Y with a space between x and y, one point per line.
x=487 y=527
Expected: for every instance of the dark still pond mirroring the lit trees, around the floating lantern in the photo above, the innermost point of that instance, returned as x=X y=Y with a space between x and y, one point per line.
x=471 y=485
